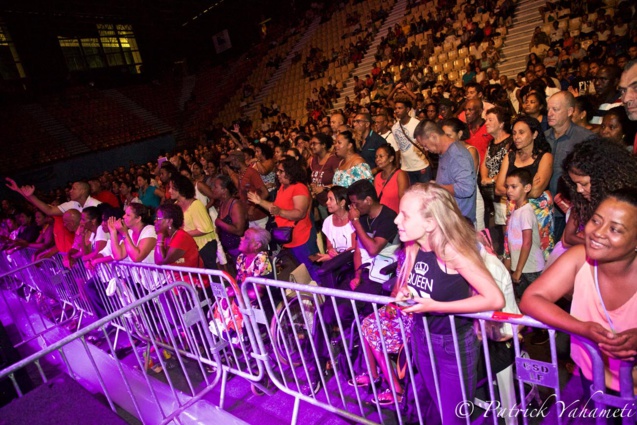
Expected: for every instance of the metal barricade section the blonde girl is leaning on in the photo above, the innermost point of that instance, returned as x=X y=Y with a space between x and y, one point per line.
x=294 y=348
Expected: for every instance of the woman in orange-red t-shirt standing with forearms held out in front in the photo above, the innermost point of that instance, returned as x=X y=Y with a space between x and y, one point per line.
x=291 y=208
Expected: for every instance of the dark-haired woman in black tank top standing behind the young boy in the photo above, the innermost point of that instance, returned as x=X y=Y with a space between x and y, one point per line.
x=531 y=151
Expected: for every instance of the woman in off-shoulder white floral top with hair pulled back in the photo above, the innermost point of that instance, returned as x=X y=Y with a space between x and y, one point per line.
x=353 y=166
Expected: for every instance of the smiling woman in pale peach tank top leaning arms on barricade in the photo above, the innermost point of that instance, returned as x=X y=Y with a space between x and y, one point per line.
x=602 y=276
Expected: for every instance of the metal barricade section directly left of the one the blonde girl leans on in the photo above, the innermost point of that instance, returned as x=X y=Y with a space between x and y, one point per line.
x=121 y=283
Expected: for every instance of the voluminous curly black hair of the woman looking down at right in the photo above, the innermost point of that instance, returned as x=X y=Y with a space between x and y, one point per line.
x=609 y=167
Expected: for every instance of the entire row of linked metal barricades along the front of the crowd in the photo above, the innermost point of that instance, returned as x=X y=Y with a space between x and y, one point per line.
x=290 y=332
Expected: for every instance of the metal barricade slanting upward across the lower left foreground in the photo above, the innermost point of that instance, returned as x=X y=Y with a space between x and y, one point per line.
x=179 y=384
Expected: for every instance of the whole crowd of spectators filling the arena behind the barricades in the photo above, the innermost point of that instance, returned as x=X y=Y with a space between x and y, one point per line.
x=532 y=173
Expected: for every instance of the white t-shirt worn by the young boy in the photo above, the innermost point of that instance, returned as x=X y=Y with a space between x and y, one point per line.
x=521 y=219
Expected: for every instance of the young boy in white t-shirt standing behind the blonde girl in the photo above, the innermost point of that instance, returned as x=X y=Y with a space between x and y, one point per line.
x=523 y=235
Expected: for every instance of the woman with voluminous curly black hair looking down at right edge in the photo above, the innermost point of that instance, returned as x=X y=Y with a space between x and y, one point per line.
x=592 y=170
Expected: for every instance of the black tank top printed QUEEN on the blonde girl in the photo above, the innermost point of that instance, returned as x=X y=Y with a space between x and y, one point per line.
x=428 y=280
